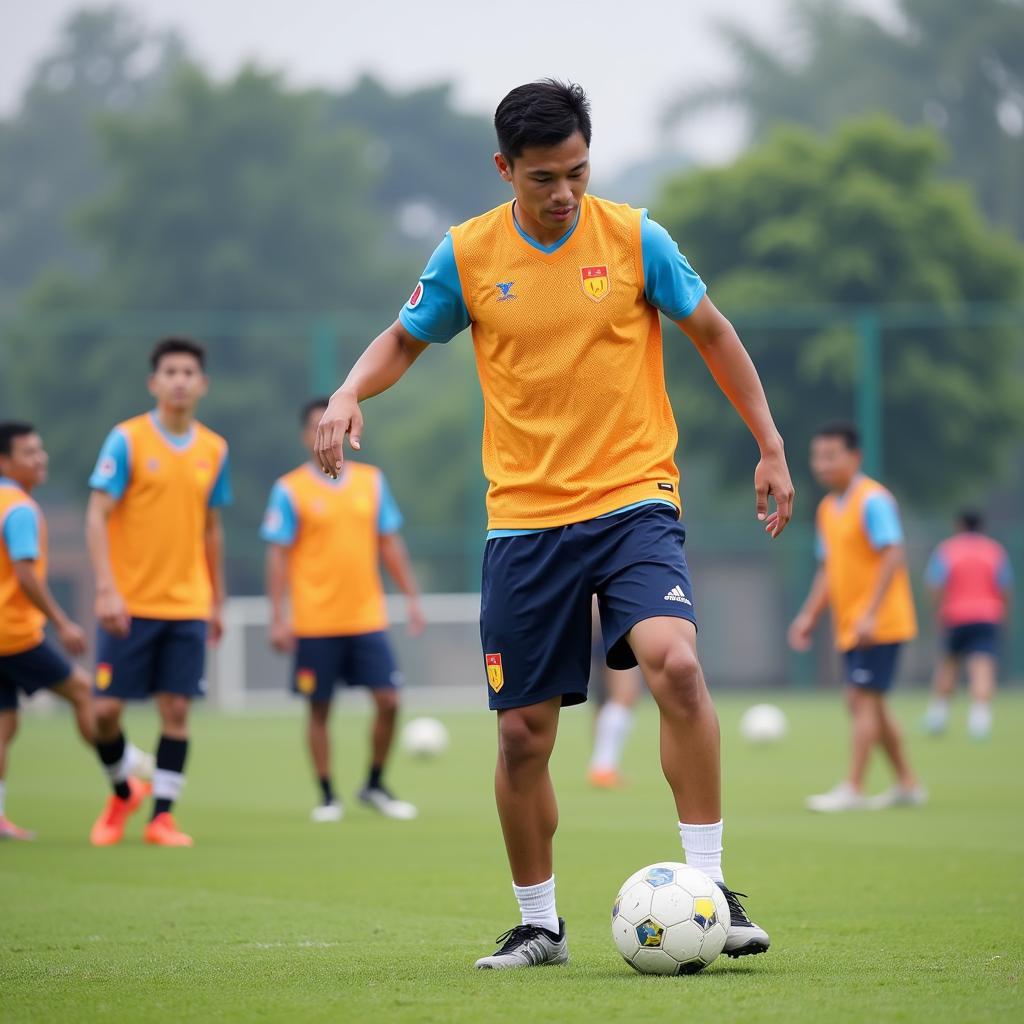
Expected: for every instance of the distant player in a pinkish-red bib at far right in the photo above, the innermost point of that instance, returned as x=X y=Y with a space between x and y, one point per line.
x=971 y=580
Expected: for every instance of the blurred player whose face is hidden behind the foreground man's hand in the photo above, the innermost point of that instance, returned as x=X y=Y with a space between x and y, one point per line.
x=327 y=539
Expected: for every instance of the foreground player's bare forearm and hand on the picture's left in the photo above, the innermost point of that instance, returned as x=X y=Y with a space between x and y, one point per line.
x=381 y=366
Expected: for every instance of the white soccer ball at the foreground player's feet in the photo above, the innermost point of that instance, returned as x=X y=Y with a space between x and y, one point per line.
x=670 y=919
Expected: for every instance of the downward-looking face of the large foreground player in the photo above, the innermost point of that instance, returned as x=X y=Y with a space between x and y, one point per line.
x=549 y=183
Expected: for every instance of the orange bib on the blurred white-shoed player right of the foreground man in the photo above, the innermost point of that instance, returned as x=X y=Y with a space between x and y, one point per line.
x=852 y=563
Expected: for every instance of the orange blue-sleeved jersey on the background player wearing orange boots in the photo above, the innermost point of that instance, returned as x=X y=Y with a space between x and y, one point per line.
x=165 y=487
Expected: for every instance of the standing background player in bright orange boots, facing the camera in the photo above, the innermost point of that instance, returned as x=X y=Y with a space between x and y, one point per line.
x=156 y=542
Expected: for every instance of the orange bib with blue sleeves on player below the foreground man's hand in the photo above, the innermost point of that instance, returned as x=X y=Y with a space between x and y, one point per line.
x=332 y=530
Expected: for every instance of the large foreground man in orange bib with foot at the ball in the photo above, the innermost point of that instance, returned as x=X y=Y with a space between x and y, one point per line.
x=564 y=292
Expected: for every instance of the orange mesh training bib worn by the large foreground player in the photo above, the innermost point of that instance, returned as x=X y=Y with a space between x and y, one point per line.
x=569 y=352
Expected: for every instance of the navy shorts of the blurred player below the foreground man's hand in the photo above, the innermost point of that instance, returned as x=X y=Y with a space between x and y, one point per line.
x=365 y=660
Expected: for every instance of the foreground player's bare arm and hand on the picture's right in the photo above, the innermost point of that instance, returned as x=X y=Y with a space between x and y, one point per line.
x=723 y=353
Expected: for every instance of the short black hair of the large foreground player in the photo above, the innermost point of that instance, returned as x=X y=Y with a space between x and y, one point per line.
x=543 y=113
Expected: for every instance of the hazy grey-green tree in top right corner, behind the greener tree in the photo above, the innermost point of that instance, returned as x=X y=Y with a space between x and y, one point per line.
x=958 y=67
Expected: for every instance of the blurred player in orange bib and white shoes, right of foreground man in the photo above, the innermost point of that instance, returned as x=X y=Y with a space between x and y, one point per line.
x=863 y=577
